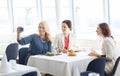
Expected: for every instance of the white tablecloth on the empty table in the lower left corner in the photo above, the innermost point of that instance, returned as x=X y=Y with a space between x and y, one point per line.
x=19 y=70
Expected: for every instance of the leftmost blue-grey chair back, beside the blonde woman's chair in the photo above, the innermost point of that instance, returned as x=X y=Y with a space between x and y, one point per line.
x=12 y=51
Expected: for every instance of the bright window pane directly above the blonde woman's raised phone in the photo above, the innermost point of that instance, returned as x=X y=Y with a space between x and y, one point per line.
x=25 y=14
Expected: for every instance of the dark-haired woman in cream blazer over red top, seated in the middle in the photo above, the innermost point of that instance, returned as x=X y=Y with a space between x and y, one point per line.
x=65 y=40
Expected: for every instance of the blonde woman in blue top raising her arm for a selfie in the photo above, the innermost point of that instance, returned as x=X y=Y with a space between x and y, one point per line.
x=39 y=43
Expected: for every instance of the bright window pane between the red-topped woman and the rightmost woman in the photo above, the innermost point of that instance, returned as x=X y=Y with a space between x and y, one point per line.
x=88 y=14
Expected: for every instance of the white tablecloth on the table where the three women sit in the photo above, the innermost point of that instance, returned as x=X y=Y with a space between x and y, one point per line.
x=61 y=65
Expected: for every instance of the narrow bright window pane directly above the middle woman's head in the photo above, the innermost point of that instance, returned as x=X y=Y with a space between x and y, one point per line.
x=63 y=11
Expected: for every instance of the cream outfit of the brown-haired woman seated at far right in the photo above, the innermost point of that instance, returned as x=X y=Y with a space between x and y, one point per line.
x=108 y=49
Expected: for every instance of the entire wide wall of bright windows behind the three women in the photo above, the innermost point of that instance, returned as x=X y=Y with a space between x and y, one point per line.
x=84 y=14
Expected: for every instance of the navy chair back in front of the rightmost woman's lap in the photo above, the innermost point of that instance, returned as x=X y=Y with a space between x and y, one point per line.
x=97 y=65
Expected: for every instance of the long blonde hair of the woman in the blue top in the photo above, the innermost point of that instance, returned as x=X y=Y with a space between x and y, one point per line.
x=47 y=30
